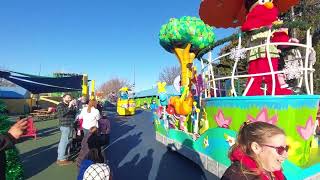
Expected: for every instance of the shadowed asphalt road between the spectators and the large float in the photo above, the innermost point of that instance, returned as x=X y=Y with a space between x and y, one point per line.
x=135 y=154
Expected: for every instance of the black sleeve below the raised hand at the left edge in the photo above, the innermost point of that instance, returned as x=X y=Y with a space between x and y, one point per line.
x=6 y=142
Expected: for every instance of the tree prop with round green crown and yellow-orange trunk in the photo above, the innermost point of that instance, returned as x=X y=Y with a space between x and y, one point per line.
x=185 y=37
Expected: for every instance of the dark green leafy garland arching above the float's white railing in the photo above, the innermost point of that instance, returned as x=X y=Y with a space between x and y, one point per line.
x=295 y=24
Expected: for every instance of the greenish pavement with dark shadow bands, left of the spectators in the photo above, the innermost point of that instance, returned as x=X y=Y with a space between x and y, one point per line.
x=39 y=155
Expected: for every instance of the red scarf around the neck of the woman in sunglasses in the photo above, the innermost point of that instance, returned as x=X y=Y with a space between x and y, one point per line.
x=250 y=164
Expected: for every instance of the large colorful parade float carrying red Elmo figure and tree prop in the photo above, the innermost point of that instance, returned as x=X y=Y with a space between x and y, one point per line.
x=202 y=123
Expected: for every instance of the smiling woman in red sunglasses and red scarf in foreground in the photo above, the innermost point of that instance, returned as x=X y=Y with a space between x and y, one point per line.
x=258 y=153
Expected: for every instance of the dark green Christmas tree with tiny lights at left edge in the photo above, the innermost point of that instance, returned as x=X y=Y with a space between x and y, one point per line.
x=14 y=168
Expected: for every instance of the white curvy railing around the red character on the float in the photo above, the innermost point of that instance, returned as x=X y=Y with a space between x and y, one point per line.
x=306 y=66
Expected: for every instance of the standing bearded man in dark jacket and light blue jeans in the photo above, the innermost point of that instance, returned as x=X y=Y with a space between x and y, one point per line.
x=66 y=112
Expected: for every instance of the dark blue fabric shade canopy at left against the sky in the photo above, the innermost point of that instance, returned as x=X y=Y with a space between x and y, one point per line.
x=41 y=84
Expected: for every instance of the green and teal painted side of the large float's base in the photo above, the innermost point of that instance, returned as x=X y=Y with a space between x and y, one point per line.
x=291 y=111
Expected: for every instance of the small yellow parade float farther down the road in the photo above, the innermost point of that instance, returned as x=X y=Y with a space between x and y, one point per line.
x=125 y=104
